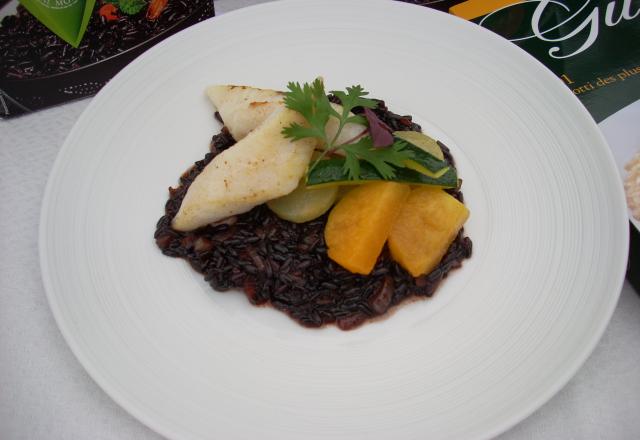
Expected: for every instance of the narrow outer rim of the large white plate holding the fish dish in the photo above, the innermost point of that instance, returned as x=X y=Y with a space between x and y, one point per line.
x=154 y=423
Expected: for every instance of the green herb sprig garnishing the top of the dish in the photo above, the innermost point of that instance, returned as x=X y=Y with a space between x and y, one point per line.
x=310 y=100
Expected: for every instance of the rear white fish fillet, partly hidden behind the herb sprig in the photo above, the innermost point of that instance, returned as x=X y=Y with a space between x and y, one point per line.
x=244 y=108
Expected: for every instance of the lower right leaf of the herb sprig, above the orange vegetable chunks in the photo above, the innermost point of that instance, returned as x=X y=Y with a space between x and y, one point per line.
x=382 y=159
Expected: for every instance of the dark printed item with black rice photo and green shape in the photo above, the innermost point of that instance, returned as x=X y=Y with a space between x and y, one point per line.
x=40 y=68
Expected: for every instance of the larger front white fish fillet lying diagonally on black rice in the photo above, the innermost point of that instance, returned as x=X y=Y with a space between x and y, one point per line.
x=260 y=167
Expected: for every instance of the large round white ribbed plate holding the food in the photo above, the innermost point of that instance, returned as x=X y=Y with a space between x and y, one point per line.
x=501 y=336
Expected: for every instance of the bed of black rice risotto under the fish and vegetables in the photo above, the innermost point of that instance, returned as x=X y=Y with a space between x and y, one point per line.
x=285 y=265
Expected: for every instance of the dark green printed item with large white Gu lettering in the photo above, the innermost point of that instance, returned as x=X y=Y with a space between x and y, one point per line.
x=592 y=45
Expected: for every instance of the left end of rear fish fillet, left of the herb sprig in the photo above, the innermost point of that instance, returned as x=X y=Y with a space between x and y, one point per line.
x=244 y=108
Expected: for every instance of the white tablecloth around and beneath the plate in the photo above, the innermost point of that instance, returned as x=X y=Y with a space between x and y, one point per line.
x=46 y=394
